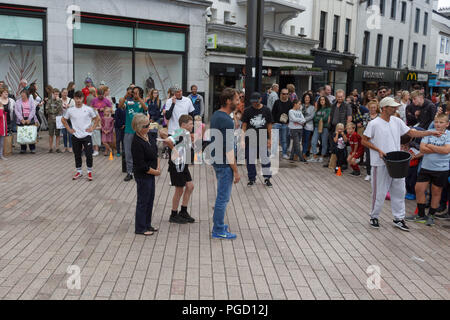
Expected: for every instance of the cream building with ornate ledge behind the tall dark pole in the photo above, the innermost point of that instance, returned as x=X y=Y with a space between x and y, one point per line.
x=287 y=47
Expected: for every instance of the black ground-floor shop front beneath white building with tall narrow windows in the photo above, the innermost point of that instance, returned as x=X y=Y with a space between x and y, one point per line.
x=336 y=69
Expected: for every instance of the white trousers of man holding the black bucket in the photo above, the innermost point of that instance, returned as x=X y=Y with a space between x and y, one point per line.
x=381 y=184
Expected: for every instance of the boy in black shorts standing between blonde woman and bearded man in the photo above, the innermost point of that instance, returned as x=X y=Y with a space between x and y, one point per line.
x=181 y=153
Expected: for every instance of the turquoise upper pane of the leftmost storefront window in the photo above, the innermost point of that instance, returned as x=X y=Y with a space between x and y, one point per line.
x=21 y=28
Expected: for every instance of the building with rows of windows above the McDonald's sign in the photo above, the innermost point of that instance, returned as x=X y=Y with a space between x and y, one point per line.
x=393 y=43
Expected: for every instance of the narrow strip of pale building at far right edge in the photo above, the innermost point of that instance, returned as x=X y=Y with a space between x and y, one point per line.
x=439 y=57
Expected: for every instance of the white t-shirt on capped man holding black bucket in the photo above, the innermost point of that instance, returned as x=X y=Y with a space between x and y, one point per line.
x=385 y=136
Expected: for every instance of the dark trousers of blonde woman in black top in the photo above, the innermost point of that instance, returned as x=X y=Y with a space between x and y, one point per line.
x=144 y=204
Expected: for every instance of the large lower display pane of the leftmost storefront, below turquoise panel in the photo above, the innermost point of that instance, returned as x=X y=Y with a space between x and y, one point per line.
x=21 y=62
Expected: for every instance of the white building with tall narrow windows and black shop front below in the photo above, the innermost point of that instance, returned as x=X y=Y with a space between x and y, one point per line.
x=334 y=26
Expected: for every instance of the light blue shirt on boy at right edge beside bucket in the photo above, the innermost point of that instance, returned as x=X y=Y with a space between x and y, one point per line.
x=436 y=161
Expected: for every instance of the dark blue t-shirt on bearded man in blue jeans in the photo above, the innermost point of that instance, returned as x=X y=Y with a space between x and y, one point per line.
x=222 y=121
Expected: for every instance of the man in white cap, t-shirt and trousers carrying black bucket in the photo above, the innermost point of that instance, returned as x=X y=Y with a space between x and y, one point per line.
x=382 y=135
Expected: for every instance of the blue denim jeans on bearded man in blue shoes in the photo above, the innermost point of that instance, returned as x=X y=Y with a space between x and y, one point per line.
x=224 y=177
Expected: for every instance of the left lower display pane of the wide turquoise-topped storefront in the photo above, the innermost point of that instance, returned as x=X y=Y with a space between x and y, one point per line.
x=114 y=67
